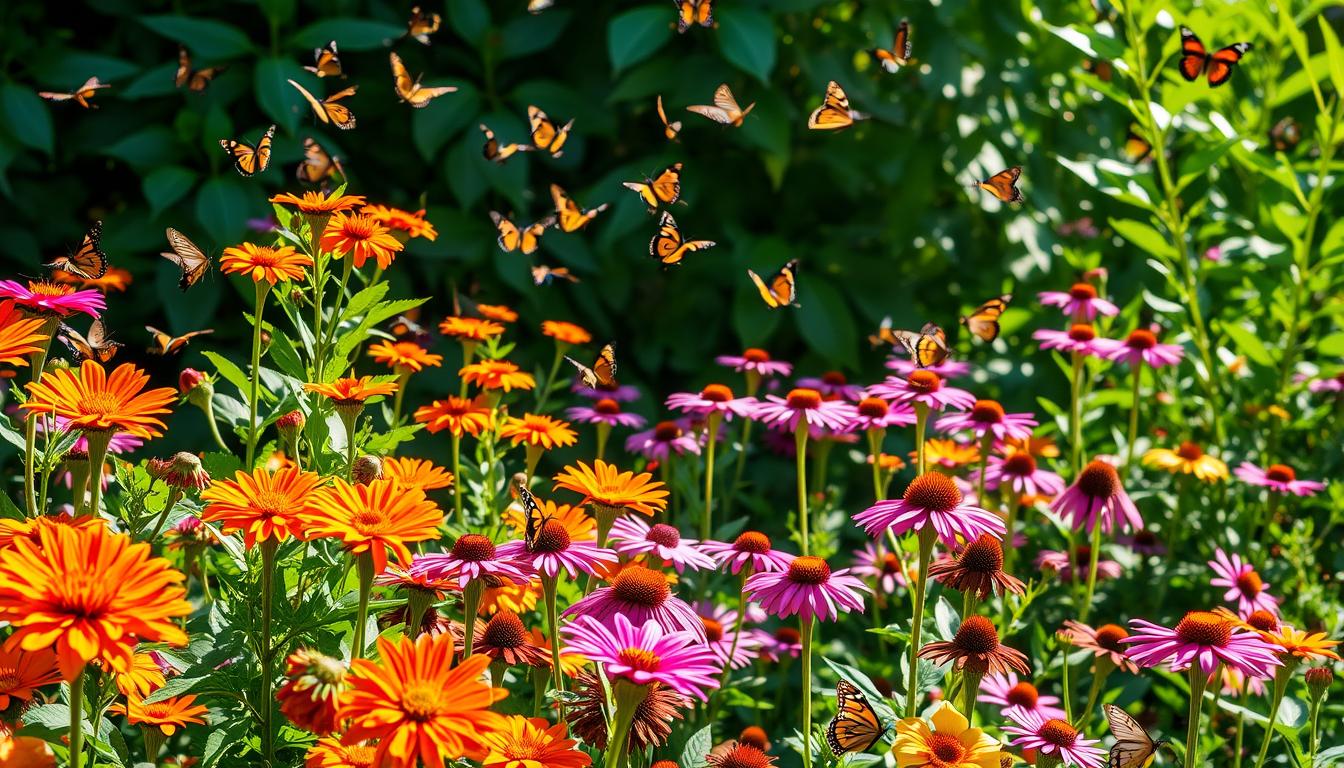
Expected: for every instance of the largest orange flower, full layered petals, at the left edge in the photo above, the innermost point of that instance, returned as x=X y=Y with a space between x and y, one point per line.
x=89 y=595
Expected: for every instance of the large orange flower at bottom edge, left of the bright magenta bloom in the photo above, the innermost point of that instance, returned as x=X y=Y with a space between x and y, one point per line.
x=419 y=705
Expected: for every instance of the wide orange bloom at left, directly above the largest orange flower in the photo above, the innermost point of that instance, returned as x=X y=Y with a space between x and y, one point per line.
x=96 y=403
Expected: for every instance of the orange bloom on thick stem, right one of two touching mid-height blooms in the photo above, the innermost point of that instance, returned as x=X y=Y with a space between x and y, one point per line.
x=373 y=519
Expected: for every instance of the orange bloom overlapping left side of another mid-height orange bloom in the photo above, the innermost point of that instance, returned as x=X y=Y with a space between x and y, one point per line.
x=264 y=505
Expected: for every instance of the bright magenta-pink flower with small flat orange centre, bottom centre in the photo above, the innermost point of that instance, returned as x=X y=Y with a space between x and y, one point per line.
x=646 y=653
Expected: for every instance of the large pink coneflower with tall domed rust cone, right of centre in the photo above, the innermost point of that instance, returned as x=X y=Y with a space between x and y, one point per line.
x=932 y=500
